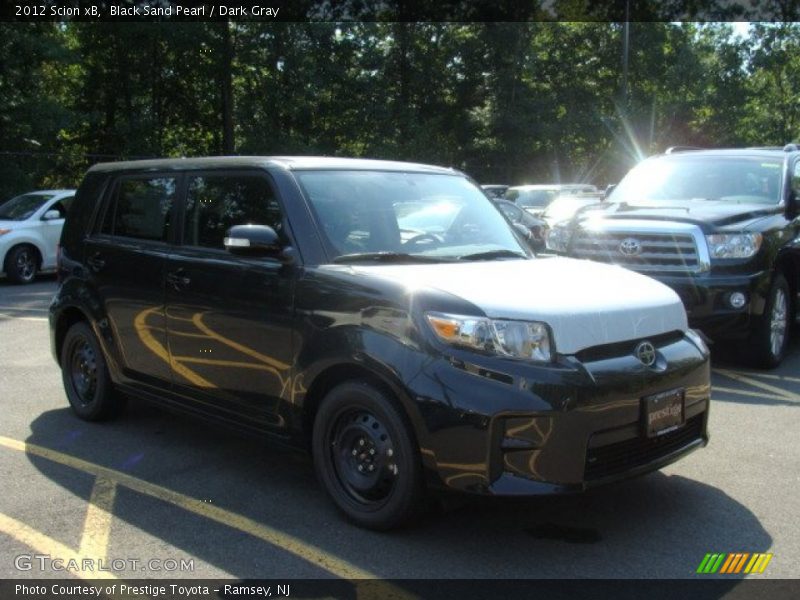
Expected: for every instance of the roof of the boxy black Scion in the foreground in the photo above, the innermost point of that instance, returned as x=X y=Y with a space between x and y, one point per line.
x=286 y=162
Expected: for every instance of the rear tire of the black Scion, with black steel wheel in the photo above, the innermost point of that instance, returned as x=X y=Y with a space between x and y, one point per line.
x=85 y=376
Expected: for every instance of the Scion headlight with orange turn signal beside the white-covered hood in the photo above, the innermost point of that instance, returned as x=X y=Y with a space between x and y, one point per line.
x=520 y=339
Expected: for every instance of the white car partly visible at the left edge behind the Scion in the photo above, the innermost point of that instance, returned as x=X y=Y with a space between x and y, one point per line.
x=30 y=227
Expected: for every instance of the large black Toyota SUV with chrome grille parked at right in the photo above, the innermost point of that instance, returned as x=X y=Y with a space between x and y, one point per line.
x=720 y=227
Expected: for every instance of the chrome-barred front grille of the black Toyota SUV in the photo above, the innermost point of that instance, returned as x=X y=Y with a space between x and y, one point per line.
x=665 y=252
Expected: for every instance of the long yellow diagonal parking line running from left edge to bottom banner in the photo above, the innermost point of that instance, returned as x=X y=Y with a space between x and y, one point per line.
x=284 y=541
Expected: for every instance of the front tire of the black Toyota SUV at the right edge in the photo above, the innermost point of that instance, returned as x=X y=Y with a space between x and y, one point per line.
x=769 y=339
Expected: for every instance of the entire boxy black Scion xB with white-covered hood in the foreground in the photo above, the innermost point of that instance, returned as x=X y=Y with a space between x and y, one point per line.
x=384 y=315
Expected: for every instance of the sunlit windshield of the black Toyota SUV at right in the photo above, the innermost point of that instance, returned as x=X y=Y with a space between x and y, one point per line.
x=733 y=180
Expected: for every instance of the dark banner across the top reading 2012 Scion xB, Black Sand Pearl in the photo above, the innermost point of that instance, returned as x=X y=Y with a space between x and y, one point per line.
x=402 y=10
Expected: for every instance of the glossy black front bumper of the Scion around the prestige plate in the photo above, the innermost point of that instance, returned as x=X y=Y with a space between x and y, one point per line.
x=507 y=428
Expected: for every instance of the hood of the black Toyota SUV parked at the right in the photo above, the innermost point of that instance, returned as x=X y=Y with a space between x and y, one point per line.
x=699 y=212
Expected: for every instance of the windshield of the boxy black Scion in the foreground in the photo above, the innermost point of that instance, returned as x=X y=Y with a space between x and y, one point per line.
x=440 y=217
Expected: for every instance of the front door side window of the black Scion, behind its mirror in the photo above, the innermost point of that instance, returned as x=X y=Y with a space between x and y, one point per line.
x=215 y=203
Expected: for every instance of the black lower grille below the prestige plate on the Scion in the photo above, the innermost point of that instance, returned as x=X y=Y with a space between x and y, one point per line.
x=617 y=458
